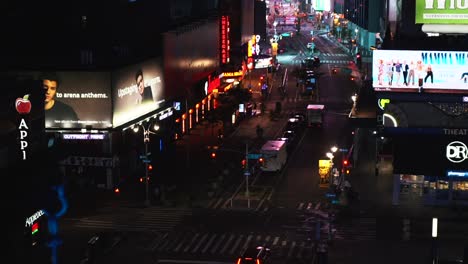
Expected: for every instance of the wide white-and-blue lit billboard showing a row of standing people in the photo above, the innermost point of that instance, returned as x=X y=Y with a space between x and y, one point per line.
x=420 y=71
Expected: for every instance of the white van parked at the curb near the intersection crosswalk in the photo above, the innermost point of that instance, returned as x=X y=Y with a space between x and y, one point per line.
x=274 y=155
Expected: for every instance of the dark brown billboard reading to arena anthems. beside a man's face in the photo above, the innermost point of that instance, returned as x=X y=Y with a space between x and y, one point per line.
x=74 y=99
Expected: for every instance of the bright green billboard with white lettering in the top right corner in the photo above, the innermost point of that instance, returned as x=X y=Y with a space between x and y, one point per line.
x=441 y=12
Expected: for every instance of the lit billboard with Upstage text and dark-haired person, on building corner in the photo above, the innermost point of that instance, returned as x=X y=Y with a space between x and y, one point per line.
x=136 y=90
